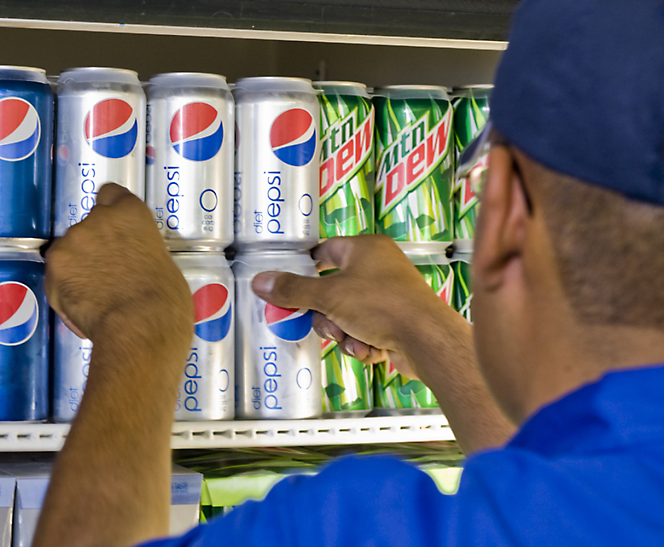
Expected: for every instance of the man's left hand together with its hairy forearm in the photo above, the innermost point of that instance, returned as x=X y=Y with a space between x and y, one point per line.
x=112 y=280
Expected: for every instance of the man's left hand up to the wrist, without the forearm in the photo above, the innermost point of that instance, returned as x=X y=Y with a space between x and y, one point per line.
x=113 y=269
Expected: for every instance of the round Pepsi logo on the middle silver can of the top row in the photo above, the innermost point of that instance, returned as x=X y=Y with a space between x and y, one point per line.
x=197 y=131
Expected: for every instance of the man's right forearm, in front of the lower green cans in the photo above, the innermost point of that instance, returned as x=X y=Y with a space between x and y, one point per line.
x=442 y=352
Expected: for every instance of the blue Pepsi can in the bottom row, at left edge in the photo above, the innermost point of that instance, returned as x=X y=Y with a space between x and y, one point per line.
x=24 y=336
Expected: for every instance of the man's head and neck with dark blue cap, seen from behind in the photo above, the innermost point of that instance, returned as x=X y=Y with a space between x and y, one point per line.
x=567 y=273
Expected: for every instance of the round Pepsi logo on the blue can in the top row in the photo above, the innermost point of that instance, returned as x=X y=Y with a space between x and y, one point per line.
x=20 y=129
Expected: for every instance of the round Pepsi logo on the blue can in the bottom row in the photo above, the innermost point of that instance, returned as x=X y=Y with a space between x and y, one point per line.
x=19 y=313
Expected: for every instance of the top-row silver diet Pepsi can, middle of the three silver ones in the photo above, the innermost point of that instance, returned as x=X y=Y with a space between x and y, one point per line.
x=190 y=159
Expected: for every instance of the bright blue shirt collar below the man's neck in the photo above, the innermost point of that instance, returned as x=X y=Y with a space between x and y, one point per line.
x=622 y=408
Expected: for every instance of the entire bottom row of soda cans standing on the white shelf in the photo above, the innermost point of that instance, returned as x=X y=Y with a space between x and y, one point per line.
x=247 y=358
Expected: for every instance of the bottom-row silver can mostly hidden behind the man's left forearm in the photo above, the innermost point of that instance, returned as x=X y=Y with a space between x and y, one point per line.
x=71 y=364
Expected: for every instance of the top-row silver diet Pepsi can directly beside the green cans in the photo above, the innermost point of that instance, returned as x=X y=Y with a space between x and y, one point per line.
x=277 y=164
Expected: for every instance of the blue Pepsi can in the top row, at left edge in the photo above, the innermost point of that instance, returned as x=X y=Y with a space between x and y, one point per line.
x=26 y=143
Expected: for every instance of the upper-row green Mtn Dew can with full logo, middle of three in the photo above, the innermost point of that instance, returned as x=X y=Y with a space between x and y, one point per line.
x=414 y=163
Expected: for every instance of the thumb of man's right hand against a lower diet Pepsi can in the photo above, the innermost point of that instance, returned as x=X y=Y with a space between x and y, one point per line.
x=288 y=290
